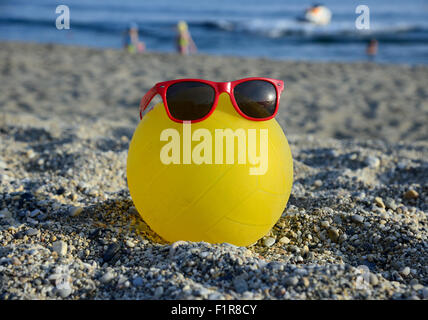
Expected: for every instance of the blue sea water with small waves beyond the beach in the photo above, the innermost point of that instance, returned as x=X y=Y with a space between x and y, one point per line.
x=251 y=28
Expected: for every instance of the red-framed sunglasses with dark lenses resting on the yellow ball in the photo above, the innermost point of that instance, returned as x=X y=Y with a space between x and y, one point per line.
x=194 y=100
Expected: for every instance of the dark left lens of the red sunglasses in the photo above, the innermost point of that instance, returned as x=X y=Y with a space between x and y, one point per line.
x=190 y=100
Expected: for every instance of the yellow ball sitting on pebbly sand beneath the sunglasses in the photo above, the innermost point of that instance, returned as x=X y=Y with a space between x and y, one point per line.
x=237 y=201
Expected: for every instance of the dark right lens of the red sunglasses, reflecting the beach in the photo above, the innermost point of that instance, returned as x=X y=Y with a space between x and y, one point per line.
x=256 y=98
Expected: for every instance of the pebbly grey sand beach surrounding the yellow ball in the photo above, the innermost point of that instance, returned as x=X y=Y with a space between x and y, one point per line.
x=355 y=226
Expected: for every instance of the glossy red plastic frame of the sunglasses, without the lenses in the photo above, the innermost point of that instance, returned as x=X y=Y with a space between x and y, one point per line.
x=219 y=87
